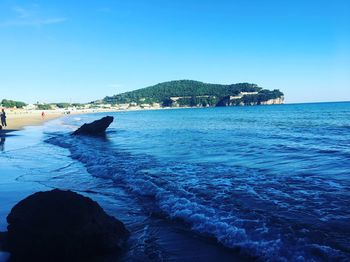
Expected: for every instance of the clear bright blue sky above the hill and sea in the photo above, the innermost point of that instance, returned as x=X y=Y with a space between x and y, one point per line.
x=83 y=50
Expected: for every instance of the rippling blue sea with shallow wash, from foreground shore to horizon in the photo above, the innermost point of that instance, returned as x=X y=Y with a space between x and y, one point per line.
x=250 y=183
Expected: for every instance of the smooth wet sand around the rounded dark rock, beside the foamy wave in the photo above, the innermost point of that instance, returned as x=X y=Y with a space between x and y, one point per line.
x=16 y=184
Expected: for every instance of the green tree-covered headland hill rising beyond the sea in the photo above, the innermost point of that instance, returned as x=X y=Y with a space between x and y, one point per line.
x=194 y=93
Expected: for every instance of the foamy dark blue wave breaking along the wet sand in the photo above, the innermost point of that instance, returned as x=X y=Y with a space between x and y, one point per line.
x=255 y=233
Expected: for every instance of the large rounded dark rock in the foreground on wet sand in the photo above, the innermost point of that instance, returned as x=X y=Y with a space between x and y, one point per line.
x=62 y=226
